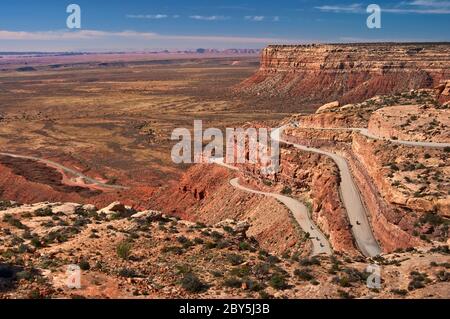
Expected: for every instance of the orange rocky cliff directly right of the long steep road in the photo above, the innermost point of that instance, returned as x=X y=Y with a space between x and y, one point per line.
x=397 y=200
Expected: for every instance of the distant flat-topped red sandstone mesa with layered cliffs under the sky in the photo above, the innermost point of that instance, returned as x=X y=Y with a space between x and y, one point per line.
x=348 y=72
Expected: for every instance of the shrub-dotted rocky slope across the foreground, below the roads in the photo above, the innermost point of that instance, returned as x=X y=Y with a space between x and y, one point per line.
x=122 y=253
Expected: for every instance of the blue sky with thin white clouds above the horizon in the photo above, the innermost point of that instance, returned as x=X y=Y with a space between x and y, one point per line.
x=30 y=25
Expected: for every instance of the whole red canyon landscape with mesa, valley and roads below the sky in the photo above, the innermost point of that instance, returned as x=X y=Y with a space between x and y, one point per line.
x=363 y=179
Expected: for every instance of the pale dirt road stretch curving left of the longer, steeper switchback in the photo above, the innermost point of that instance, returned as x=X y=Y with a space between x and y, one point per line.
x=299 y=211
